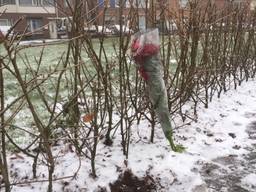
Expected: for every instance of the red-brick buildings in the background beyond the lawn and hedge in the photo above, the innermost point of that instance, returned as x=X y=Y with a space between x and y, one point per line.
x=42 y=17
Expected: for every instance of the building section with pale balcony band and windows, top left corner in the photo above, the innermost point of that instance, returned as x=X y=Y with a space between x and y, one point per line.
x=34 y=16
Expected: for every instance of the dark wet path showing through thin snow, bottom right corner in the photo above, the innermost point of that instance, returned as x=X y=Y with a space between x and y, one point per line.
x=225 y=174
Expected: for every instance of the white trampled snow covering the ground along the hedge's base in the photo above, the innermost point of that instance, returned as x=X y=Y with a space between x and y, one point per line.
x=220 y=154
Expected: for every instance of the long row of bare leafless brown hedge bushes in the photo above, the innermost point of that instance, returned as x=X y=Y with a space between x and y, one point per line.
x=90 y=92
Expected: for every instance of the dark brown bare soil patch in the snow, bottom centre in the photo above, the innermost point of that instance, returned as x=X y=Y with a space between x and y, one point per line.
x=128 y=182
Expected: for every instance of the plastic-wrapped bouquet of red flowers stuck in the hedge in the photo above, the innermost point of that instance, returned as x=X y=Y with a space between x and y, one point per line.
x=145 y=51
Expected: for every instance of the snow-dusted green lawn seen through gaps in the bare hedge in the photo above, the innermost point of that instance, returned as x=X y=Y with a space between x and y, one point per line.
x=51 y=56
